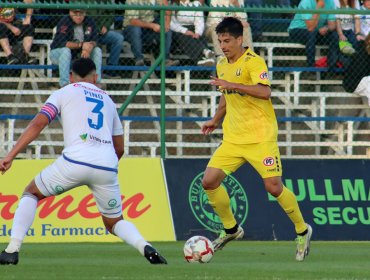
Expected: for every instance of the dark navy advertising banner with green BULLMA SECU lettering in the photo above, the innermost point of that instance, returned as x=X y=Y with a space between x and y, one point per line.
x=333 y=196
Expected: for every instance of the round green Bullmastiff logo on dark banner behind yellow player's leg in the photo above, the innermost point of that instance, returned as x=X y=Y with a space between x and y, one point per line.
x=203 y=211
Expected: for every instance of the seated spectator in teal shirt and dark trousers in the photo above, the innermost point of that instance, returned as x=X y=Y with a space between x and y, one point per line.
x=313 y=29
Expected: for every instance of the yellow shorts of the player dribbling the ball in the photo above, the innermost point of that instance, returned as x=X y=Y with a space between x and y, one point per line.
x=264 y=157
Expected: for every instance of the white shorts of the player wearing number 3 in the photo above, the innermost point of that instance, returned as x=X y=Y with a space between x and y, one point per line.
x=62 y=176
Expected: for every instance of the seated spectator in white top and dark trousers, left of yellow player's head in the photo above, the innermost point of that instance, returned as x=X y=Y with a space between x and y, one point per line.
x=188 y=27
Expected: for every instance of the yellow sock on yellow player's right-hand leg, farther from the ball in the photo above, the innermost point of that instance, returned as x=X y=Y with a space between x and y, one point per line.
x=288 y=202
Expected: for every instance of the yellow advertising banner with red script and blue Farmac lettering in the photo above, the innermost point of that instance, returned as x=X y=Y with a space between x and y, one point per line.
x=73 y=216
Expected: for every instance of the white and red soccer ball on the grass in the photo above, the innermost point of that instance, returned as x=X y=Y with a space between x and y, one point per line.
x=198 y=249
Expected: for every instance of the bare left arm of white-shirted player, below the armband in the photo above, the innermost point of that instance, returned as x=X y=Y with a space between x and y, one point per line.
x=31 y=133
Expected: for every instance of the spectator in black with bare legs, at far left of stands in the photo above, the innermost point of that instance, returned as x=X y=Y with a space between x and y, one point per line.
x=11 y=31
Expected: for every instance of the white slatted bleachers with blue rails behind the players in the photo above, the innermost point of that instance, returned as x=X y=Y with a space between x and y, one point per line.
x=316 y=117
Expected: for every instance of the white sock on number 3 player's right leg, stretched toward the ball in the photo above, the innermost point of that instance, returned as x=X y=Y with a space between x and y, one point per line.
x=129 y=233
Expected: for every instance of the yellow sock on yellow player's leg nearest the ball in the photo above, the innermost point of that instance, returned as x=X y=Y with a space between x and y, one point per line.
x=220 y=201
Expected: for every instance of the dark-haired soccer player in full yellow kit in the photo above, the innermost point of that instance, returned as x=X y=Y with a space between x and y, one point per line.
x=250 y=135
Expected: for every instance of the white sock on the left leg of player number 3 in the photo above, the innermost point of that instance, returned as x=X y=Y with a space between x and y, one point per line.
x=23 y=219
